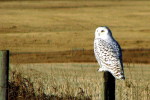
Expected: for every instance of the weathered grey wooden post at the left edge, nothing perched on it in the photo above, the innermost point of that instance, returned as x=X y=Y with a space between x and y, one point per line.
x=4 y=66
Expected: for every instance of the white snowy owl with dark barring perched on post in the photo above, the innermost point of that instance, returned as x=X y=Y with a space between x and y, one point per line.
x=108 y=53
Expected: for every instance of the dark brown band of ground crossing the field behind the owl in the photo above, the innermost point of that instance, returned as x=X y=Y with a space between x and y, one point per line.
x=129 y=56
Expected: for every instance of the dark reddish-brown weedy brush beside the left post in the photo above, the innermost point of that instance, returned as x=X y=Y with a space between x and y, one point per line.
x=21 y=88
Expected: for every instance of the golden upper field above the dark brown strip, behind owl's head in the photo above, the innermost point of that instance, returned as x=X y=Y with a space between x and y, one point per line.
x=44 y=26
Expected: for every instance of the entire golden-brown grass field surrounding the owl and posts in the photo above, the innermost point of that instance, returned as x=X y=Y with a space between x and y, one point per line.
x=46 y=31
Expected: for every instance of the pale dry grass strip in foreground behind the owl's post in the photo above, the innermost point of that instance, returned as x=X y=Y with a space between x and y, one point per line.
x=83 y=81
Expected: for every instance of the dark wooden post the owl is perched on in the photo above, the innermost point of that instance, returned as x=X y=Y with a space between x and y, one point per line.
x=109 y=86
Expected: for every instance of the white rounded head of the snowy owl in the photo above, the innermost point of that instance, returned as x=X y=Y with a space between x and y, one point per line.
x=103 y=32
